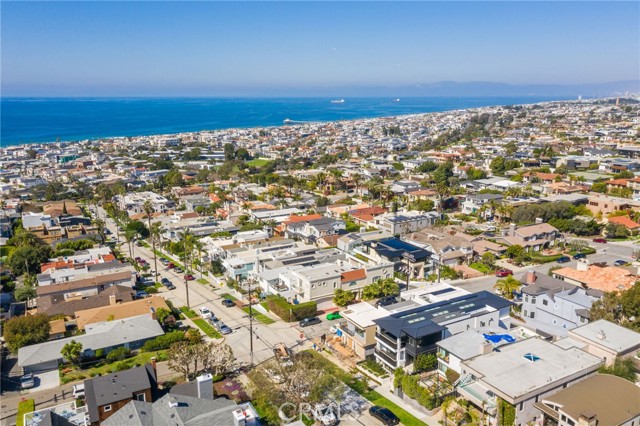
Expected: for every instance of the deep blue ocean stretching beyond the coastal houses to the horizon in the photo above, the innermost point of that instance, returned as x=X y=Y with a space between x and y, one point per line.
x=27 y=120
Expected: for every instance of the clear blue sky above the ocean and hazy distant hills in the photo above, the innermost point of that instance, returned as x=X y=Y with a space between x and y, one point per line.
x=174 y=48
